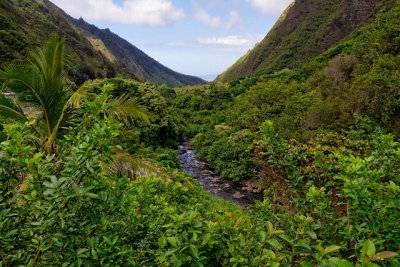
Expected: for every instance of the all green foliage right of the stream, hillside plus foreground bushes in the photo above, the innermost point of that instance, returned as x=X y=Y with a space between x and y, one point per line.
x=329 y=146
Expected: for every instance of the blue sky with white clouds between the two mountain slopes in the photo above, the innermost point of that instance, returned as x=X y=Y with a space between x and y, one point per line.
x=196 y=37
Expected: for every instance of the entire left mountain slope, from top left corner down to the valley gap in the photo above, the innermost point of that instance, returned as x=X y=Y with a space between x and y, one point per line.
x=90 y=52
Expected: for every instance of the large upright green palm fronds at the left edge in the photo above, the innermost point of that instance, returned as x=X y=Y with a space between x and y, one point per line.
x=41 y=82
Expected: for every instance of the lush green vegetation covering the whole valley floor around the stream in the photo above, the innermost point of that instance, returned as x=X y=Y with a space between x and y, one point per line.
x=92 y=178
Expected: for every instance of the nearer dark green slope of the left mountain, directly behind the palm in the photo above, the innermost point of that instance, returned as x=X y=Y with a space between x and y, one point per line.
x=26 y=25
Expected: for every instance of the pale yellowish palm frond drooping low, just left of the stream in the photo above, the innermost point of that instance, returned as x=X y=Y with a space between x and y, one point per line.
x=133 y=166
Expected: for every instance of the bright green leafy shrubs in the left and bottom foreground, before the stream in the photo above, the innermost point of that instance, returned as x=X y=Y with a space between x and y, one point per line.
x=65 y=209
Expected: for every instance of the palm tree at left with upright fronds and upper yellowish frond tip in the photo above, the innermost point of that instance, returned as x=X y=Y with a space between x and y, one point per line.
x=42 y=83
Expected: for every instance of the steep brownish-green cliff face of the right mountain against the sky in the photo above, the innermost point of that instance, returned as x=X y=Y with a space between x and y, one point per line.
x=306 y=29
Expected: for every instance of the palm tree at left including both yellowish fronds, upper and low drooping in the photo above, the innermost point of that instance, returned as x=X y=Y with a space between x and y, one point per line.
x=41 y=83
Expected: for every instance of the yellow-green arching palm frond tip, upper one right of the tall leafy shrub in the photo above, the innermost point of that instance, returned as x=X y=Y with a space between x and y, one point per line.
x=125 y=108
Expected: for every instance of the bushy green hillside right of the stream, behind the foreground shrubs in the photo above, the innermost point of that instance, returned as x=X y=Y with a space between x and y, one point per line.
x=358 y=77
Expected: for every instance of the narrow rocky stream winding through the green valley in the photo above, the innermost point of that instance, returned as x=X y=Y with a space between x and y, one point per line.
x=210 y=180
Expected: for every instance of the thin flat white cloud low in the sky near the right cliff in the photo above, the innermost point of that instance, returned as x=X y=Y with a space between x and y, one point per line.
x=231 y=40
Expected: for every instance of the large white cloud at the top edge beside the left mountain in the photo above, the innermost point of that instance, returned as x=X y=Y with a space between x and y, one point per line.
x=146 y=12
